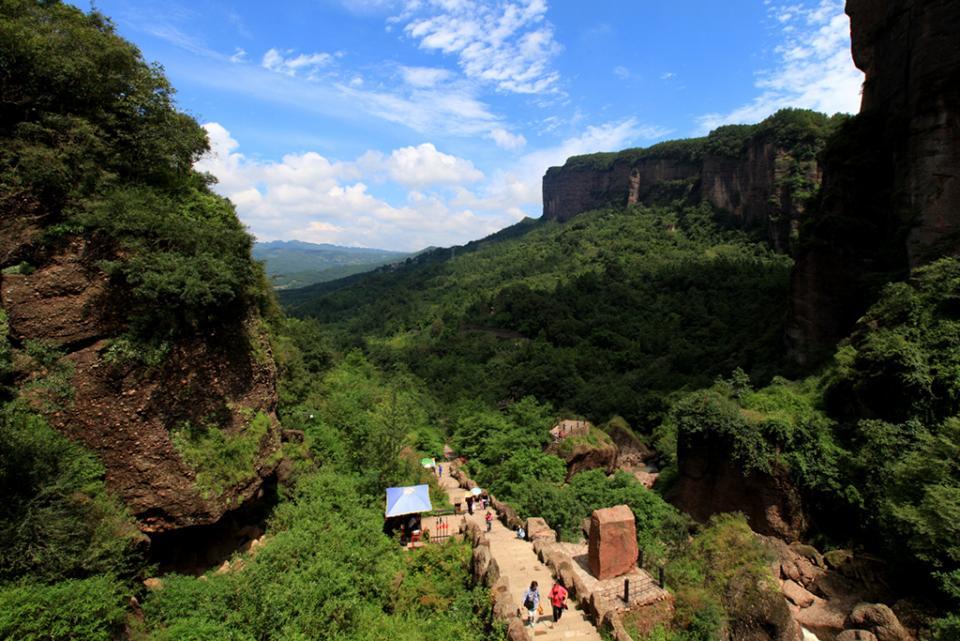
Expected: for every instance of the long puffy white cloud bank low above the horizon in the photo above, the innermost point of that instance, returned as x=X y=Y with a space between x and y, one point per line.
x=310 y=197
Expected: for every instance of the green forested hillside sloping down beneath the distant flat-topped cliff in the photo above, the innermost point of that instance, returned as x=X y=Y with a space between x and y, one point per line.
x=607 y=314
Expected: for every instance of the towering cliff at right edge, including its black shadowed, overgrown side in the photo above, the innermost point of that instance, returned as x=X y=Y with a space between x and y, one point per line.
x=891 y=191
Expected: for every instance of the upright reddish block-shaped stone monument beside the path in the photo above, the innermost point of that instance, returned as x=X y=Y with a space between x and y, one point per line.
x=613 y=542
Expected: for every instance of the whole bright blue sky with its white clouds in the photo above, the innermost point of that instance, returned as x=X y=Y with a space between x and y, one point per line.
x=406 y=123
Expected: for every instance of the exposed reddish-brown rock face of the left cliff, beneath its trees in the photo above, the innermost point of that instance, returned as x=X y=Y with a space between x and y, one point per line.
x=124 y=412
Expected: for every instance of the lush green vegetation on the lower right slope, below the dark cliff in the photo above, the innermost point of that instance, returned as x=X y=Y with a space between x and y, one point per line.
x=876 y=434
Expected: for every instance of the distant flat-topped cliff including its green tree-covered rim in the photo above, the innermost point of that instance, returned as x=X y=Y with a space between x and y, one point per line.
x=760 y=175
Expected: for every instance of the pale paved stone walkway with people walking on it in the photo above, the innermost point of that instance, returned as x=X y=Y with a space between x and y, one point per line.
x=519 y=563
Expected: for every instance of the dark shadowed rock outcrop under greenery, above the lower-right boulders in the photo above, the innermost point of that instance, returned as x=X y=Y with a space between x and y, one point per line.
x=710 y=482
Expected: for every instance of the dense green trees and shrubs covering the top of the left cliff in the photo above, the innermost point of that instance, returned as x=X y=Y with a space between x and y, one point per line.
x=91 y=143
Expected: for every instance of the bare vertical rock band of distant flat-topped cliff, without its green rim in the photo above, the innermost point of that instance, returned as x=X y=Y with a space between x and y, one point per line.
x=750 y=187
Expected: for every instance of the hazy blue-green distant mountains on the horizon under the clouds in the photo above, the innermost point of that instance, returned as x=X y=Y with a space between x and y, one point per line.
x=293 y=263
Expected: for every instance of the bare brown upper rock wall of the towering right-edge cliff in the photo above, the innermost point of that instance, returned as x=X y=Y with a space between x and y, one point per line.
x=908 y=50
